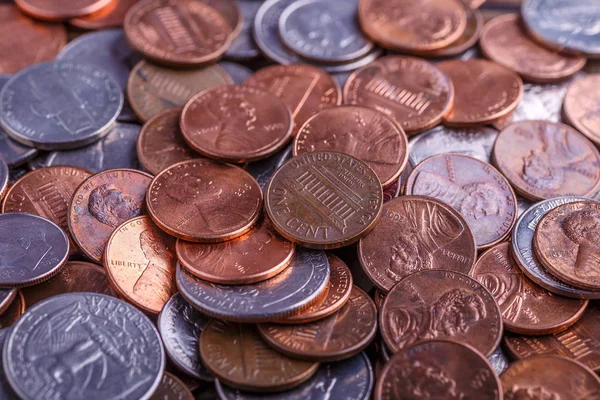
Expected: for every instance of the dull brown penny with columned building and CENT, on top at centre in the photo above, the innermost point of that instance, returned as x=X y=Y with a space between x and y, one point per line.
x=324 y=200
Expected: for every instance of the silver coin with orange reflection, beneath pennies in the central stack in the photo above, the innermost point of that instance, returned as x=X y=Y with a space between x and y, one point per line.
x=298 y=285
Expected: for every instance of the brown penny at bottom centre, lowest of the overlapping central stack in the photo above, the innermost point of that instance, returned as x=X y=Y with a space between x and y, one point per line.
x=237 y=355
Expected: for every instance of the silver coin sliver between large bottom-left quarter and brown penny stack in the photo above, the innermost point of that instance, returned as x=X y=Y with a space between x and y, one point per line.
x=180 y=326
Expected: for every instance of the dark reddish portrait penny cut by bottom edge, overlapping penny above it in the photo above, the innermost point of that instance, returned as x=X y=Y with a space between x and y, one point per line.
x=438 y=369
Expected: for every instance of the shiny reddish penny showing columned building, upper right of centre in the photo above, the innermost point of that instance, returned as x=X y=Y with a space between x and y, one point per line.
x=411 y=91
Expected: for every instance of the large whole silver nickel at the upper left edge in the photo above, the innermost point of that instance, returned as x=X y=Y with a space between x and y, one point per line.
x=59 y=105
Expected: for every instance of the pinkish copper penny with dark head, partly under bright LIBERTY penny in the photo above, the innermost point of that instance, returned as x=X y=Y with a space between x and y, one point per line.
x=102 y=203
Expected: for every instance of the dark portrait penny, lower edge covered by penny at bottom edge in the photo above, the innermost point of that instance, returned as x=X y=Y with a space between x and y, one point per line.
x=438 y=304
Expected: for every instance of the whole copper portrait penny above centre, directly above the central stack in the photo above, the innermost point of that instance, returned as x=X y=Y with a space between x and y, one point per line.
x=236 y=123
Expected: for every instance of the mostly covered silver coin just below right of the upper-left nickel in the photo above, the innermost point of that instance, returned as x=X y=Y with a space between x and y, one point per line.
x=115 y=150
